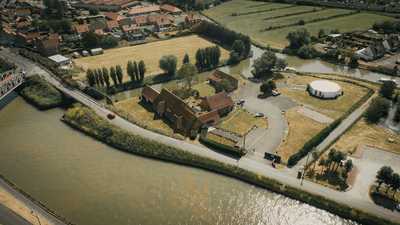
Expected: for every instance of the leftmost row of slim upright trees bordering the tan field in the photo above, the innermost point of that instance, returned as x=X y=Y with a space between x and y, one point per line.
x=101 y=77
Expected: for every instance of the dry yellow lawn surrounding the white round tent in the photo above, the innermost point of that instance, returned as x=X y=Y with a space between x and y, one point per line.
x=333 y=108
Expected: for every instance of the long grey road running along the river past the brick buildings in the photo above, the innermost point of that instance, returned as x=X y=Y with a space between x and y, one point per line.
x=285 y=176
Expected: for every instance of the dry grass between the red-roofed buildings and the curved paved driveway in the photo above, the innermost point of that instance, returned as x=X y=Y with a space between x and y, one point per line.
x=241 y=121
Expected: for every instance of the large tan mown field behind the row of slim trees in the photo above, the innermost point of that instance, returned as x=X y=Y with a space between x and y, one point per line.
x=150 y=53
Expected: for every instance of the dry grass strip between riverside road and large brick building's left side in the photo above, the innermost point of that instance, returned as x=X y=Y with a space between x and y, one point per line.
x=142 y=116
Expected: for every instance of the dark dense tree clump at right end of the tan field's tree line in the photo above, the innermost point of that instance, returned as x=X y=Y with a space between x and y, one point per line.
x=207 y=58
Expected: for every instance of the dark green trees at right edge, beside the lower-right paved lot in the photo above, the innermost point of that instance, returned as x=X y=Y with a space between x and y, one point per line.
x=387 y=176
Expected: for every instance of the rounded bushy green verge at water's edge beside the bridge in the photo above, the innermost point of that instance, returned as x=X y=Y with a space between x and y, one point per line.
x=41 y=94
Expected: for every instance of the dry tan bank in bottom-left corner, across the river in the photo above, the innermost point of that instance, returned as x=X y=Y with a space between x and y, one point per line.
x=22 y=204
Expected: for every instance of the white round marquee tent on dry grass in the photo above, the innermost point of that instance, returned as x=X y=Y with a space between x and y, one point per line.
x=325 y=89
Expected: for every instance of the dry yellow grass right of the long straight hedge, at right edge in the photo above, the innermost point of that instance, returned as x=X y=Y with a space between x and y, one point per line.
x=368 y=134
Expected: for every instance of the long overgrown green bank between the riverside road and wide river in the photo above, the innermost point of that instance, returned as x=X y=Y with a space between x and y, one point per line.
x=85 y=120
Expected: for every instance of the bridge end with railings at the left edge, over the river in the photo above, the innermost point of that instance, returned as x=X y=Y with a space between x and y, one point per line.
x=9 y=81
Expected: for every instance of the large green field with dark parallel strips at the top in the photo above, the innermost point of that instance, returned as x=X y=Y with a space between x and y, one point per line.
x=252 y=18
